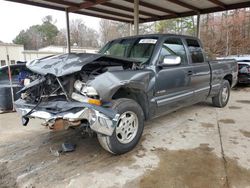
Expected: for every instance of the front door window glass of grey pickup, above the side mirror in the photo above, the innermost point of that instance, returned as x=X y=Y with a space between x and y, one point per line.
x=173 y=46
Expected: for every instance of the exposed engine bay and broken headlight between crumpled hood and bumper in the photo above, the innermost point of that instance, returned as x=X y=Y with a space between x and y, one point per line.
x=69 y=87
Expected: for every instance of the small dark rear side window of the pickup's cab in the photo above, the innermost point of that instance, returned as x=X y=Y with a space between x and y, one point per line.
x=195 y=51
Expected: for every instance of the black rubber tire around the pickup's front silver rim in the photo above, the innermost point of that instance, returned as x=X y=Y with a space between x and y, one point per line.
x=112 y=143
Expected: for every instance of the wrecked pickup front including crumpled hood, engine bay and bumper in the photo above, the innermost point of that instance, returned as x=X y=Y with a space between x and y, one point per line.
x=64 y=95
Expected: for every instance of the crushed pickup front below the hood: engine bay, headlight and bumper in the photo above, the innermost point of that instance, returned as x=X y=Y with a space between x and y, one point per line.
x=67 y=98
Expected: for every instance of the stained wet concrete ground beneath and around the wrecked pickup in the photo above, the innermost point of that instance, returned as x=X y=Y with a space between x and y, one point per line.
x=198 y=146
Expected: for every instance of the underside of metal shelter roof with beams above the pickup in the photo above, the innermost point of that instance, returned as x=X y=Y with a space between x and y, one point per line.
x=149 y=10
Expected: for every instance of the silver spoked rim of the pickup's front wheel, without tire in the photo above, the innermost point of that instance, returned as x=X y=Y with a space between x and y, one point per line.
x=127 y=127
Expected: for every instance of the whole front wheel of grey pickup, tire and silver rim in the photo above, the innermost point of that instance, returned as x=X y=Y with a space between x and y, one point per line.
x=128 y=130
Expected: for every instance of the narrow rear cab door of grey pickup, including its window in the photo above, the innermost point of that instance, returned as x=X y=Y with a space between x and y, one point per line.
x=201 y=70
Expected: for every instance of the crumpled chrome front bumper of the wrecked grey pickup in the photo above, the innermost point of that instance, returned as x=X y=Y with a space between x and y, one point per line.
x=101 y=120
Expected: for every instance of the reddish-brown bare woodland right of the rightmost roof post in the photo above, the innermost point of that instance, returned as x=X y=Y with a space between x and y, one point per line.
x=226 y=33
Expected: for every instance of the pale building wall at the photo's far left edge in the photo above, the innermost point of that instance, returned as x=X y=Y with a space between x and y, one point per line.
x=14 y=52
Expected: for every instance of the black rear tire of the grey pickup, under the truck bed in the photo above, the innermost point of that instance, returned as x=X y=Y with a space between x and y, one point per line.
x=219 y=100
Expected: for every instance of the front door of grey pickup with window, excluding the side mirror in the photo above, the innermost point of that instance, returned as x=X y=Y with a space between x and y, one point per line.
x=173 y=82
